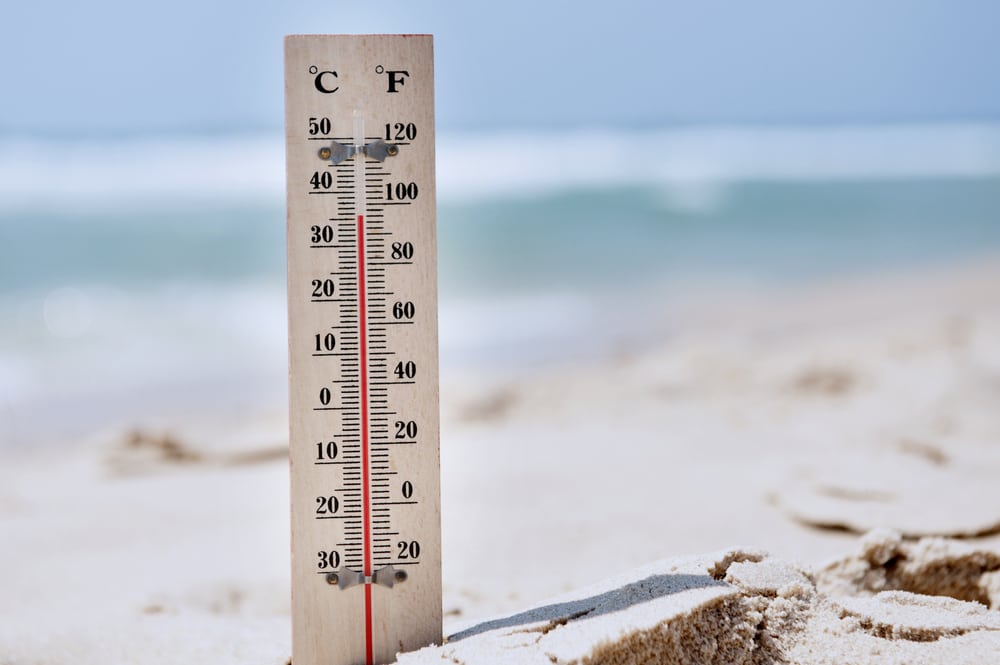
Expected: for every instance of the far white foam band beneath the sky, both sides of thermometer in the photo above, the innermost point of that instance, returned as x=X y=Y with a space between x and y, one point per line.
x=477 y=165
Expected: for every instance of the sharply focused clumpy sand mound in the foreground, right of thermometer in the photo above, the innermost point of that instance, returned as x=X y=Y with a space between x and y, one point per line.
x=742 y=607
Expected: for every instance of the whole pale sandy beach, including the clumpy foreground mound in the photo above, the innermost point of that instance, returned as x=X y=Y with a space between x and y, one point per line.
x=835 y=447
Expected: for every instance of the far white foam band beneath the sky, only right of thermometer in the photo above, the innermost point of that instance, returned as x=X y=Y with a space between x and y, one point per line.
x=472 y=166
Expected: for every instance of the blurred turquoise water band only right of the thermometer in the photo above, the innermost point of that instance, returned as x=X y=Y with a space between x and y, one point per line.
x=759 y=231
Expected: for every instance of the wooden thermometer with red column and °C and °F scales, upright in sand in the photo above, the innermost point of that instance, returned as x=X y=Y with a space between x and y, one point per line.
x=363 y=354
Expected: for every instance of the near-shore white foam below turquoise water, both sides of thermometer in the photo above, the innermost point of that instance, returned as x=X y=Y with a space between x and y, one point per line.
x=100 y=355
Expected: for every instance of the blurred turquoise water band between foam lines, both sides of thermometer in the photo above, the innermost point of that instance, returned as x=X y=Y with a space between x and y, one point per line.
x=575 y=239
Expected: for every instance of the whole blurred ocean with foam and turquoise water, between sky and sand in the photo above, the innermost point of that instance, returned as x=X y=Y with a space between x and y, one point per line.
x=144 y=277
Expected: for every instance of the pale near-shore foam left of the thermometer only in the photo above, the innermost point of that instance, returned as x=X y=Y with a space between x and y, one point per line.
x=78 y=355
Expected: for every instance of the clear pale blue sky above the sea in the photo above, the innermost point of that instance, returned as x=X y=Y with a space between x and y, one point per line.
x=121 y=67
